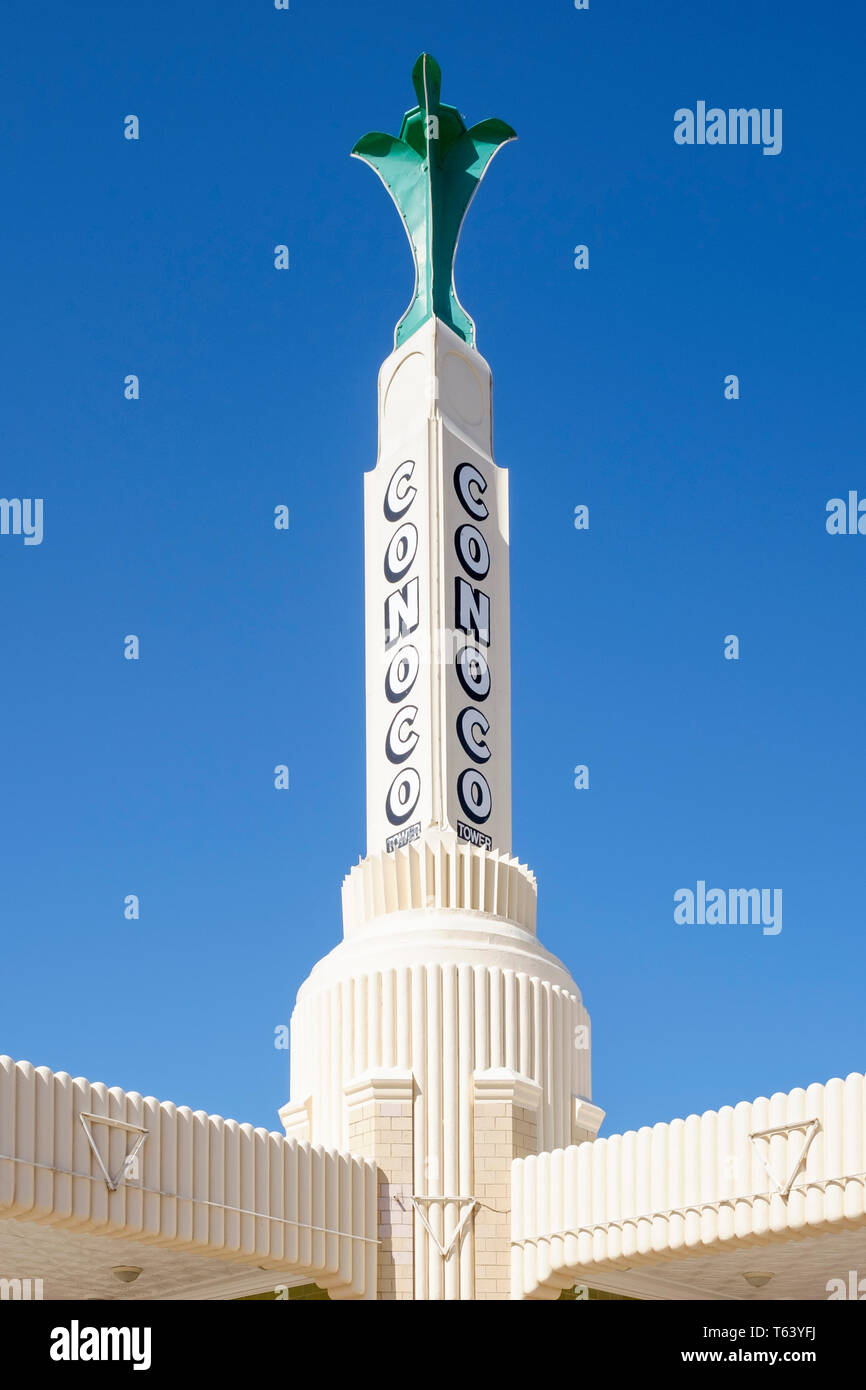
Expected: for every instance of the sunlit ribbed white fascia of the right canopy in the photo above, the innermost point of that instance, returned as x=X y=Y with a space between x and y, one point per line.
x=692 y=1188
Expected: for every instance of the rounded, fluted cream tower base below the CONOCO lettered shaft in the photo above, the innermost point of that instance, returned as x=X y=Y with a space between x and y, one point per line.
x=444 y=1042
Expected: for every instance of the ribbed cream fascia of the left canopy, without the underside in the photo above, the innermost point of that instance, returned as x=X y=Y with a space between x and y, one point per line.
x=205 y=1185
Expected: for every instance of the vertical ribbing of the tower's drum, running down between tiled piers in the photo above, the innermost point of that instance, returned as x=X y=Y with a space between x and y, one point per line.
x=444 y=1021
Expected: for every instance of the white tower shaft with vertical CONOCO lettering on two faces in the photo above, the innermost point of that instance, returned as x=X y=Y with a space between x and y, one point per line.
x=437 y=558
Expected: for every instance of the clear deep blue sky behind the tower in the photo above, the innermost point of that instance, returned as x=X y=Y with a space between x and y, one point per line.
x=259 y=389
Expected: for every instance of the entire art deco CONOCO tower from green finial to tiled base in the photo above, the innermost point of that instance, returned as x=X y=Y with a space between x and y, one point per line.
x=439 y=1038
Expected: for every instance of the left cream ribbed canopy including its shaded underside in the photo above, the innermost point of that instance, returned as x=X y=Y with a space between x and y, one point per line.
x=95 y=1178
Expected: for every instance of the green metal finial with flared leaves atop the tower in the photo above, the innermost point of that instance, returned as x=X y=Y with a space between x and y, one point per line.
x=432 y=172
